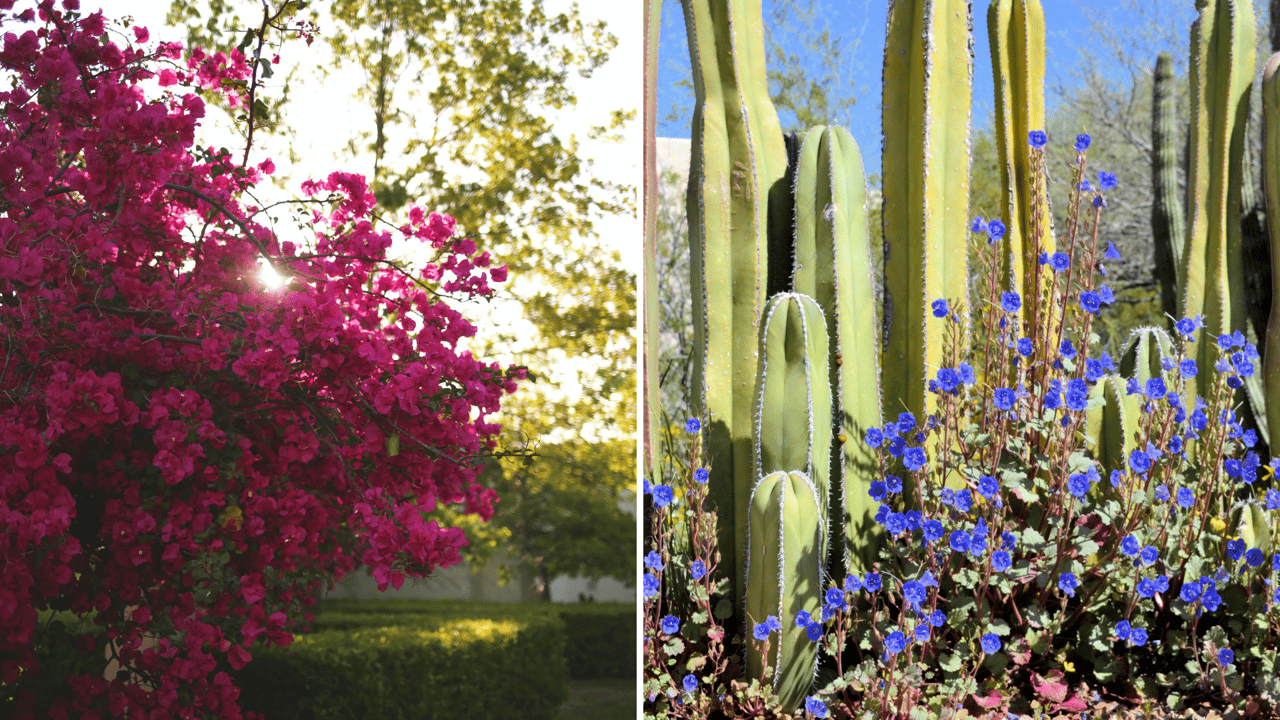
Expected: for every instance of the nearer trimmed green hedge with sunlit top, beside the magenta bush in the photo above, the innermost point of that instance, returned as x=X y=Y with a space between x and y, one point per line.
x=456 y=669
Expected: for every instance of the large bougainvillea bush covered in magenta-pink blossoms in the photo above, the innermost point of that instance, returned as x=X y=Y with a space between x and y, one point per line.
x=188 y=455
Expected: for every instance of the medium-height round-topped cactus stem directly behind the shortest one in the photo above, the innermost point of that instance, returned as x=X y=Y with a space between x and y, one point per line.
x=793 y=416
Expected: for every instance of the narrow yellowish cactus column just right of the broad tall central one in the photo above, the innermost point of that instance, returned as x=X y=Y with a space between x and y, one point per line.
x=1017 y=34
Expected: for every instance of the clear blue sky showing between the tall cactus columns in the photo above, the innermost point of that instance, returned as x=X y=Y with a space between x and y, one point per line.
x=863 y=22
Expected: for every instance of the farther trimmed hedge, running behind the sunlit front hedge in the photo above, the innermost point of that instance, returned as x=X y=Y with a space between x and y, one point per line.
x=600 y=636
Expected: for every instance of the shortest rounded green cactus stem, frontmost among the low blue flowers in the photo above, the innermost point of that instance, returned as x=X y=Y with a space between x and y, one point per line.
x=784 y=578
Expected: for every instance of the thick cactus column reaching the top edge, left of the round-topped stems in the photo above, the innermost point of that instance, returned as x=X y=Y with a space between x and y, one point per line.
x=738 y=160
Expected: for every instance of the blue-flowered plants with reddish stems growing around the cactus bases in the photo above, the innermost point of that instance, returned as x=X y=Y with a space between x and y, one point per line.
x=1027 y=568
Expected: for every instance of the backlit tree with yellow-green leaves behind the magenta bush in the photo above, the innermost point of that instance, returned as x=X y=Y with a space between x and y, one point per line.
x=461 y=97
